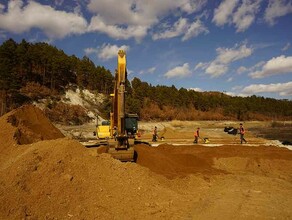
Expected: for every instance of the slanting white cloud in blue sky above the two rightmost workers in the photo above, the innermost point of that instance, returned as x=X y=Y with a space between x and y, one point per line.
x=225 y=56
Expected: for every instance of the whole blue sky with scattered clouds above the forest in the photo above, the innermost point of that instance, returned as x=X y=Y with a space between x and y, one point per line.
x=240 y=47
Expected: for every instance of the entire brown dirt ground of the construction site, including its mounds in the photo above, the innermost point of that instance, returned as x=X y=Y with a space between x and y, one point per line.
x=46 y=173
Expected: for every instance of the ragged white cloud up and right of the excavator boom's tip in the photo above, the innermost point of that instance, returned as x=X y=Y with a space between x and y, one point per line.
x=181 y=28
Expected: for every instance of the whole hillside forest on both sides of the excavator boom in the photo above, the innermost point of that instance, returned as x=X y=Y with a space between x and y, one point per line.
x=32 y=71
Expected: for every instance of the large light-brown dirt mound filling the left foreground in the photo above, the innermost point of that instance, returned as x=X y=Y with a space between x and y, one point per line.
x=60 y=179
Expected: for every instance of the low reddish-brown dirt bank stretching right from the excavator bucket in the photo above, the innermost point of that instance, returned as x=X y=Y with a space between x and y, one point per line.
x=180 y=161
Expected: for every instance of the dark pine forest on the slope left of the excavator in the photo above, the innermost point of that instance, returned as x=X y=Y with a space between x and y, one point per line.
x=29 y=72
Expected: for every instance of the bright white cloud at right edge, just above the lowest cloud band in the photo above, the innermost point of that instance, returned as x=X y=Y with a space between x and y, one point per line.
x=275 y=66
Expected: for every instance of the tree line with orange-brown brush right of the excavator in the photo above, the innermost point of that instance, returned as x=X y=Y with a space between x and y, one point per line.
x=168 y=103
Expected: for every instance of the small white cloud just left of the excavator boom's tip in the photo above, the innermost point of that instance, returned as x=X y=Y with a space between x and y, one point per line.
x=106 y=51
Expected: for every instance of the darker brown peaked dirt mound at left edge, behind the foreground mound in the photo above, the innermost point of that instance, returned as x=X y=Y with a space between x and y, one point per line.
x=30 y=125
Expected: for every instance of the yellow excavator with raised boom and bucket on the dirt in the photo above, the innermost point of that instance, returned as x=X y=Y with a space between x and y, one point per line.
x=122 y=127
